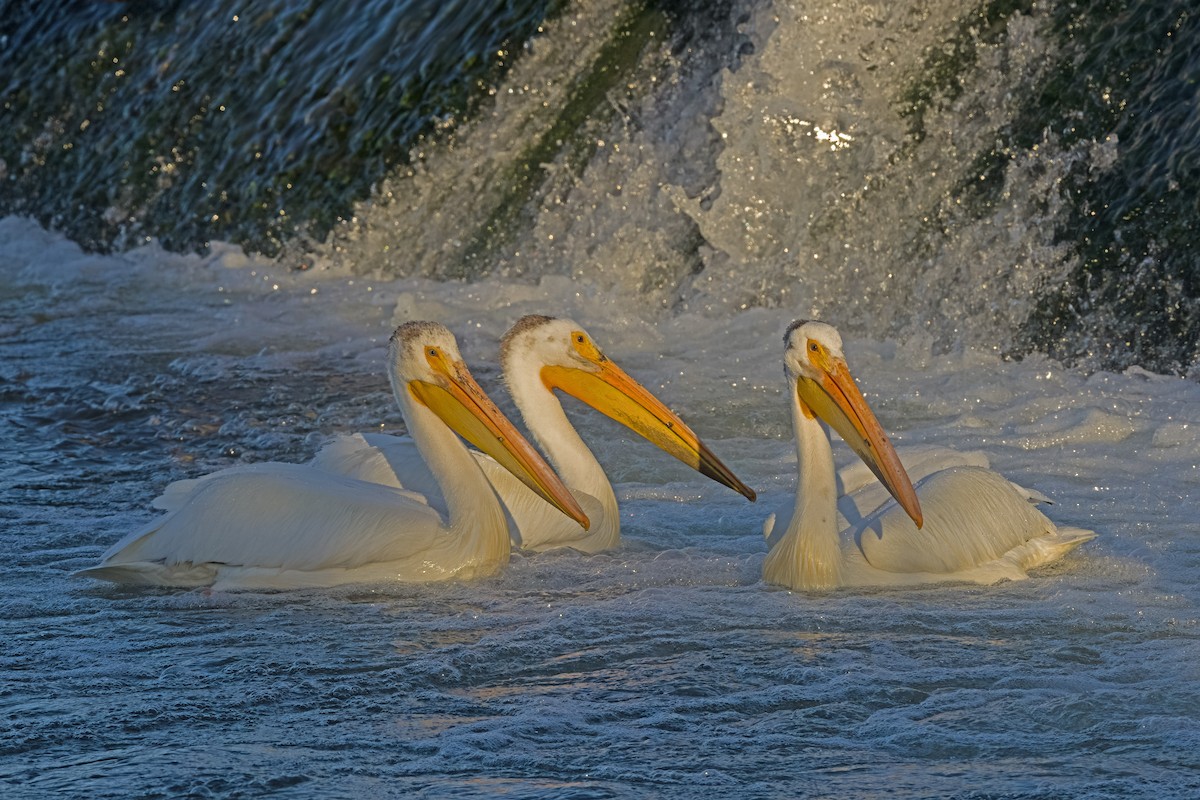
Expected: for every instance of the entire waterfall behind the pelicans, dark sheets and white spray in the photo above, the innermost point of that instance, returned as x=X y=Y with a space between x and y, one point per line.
x=1010 y=175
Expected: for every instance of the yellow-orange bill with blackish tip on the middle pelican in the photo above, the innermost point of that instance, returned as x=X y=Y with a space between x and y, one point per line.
x=610 y=390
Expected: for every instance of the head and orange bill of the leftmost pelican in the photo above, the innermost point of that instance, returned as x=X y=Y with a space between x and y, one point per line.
x=425 y=365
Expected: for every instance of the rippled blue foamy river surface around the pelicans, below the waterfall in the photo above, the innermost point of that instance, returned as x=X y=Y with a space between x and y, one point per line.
x=664 y=669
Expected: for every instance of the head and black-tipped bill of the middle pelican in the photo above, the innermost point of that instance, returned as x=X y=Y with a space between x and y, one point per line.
x=571 y=362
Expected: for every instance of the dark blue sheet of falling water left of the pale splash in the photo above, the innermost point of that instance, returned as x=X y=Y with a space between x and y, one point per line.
x=257 y=123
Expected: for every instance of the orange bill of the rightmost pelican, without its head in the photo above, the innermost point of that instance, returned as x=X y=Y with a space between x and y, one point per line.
x=837 y=400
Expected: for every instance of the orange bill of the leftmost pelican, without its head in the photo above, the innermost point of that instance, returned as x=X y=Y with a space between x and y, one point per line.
x=464 y=406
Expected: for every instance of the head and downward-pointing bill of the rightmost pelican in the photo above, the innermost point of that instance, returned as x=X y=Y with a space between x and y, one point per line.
x=817 y=365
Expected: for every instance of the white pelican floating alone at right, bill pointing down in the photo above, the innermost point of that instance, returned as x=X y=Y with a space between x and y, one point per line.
x=963 y=525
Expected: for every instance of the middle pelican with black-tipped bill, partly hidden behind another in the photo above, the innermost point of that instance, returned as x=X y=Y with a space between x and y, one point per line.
x=539 y=356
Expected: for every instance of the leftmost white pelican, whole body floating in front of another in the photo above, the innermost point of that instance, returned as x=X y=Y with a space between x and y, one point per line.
x=286 y=526
